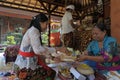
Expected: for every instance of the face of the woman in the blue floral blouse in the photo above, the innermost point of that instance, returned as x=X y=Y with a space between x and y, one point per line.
x=97 y=34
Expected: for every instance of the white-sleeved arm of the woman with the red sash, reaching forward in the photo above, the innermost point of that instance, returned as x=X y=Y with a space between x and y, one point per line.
x=36 y=45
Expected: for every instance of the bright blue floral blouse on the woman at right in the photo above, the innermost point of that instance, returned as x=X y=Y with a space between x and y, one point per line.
x=109 y=46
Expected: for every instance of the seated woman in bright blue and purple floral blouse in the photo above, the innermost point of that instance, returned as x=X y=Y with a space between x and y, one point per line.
x=101 y=53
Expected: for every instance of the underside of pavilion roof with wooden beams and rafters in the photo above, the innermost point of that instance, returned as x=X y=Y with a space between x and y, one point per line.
x=53 y=7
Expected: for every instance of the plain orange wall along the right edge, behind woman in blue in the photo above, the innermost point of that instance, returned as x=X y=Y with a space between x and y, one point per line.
x=115 y=19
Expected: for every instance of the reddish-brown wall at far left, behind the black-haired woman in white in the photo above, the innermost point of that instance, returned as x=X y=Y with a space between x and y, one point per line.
x=11 y=24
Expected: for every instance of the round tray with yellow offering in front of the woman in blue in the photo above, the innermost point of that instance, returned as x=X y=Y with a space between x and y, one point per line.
x=85 y=69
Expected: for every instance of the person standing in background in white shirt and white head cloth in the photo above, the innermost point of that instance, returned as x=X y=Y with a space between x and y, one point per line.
x=67 y=27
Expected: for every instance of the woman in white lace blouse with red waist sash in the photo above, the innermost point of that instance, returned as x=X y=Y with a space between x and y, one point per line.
x=32 y=52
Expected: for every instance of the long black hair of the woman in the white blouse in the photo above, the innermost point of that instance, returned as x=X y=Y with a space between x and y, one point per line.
x=37 y=19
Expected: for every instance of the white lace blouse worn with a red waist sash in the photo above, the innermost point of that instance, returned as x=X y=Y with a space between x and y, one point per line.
x=31 y=42
